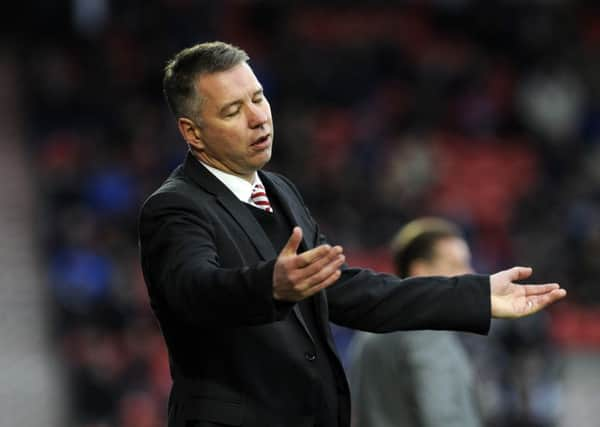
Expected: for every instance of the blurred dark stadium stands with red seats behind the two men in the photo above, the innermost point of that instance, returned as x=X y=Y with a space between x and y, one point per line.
x=485 y=113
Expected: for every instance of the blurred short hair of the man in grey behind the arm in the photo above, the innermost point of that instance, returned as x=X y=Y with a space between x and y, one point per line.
x=417 y=239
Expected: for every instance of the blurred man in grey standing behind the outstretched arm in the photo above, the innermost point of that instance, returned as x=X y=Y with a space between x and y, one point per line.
x=417 y=378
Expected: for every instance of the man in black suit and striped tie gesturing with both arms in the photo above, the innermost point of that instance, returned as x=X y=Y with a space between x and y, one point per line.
x=243 y=283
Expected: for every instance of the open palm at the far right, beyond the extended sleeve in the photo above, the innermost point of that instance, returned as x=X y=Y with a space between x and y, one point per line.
x=511 y=300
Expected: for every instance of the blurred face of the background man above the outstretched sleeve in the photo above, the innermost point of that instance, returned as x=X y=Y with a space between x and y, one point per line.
x=451 y=257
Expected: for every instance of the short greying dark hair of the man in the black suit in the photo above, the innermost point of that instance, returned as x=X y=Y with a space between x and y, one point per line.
x=183 y=69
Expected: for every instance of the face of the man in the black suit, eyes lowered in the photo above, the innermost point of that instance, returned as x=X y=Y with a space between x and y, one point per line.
x=236 y=128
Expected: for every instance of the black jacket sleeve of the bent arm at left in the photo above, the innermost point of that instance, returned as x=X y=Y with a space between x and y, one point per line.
x=184 y=273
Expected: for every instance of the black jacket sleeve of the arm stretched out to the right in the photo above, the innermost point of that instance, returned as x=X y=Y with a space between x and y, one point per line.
x=376 y=302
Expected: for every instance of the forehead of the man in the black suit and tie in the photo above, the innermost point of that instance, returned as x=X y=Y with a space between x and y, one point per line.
x=227 y=86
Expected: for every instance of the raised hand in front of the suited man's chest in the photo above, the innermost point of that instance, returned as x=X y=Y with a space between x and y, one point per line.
x=298 y=276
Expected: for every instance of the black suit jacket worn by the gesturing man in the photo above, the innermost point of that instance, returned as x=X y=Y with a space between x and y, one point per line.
x=237 y=356
